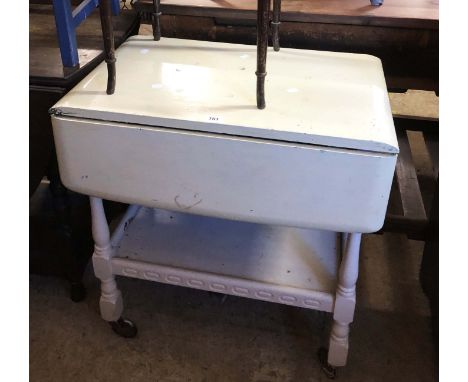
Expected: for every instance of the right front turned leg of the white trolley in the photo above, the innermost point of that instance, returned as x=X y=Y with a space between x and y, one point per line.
x=345 y=301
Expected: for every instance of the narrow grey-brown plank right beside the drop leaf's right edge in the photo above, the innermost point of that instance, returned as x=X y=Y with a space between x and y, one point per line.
x=411 y=200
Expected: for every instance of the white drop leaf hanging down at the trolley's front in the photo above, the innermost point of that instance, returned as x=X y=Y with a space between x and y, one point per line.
x=228 y=177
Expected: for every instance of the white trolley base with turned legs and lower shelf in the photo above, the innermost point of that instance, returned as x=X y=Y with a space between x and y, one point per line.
x=311 y=269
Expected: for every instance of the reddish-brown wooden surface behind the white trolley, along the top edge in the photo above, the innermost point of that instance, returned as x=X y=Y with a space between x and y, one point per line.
x=395 y=13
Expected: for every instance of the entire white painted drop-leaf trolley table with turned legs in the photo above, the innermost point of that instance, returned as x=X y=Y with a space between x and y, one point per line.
x=267 y=204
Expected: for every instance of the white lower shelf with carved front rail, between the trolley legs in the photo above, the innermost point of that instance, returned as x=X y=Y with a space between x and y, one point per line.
x=278 y=264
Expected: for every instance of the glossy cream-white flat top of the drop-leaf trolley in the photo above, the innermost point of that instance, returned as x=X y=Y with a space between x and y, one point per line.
x=312 y=97
